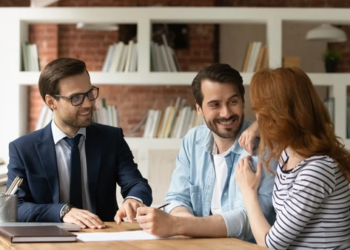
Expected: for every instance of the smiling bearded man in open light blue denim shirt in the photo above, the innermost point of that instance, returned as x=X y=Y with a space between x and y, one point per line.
x=205 y=199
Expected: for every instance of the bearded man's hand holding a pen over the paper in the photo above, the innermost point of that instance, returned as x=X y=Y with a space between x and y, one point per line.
x=157 y=222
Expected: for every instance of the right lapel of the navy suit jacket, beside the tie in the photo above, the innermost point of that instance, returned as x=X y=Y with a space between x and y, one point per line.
x=93 y=151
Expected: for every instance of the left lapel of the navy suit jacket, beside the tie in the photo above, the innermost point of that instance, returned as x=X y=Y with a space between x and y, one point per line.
x=46 y=150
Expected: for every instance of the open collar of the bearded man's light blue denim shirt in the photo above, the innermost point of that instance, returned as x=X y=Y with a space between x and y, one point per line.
x=207 y=140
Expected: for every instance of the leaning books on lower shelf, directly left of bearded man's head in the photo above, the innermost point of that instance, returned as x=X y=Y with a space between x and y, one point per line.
x=173 y=122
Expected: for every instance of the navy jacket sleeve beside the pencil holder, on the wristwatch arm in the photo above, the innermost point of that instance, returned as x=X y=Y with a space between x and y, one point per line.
x=27 y=209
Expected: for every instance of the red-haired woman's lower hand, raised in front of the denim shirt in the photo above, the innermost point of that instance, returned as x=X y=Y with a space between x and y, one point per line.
x=247 y=181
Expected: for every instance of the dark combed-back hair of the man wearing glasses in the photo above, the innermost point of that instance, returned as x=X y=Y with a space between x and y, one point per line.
x=55 y=71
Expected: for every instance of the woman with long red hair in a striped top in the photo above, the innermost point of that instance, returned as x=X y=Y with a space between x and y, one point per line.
x=311 y=194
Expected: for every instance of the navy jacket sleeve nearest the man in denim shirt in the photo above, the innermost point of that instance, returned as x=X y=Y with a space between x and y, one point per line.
x=129 y=177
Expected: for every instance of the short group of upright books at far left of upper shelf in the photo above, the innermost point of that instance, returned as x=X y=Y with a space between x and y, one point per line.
x=30 y=57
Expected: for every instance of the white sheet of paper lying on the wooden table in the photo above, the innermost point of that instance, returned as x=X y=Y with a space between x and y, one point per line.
x=130 y=235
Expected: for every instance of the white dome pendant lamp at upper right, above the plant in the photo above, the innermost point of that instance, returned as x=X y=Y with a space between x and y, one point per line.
x=326 y=33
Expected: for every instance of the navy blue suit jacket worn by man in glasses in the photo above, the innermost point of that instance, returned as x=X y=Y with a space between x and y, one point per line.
x=109 y=161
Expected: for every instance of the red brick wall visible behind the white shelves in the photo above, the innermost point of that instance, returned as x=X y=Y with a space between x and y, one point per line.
x=91 y=46
